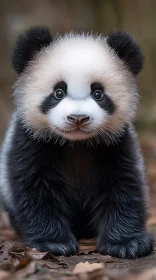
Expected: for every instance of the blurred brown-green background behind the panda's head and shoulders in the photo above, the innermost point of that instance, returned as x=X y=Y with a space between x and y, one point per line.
x=136 y=16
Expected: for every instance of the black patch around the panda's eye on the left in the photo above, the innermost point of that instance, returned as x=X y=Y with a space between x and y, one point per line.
x=51 y=101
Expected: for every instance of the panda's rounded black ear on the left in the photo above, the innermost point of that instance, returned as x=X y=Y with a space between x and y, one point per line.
x=32 y=41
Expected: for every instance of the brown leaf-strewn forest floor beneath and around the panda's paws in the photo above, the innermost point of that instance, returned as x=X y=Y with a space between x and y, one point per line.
x=19 y=262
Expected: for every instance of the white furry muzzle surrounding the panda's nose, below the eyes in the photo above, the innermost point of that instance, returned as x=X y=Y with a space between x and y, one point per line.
x=58 y=117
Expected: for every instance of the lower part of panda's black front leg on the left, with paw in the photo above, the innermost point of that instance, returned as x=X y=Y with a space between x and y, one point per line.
x=42 y=220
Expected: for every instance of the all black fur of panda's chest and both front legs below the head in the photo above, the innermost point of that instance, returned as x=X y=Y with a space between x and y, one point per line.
x=63 y=193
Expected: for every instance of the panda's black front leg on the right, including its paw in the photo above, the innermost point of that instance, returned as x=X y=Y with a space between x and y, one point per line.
x=121 y=220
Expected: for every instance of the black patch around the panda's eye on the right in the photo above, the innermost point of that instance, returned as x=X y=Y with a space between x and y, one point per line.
x=105 y=102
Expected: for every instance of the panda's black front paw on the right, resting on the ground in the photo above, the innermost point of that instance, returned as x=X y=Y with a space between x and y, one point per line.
x=141 y=245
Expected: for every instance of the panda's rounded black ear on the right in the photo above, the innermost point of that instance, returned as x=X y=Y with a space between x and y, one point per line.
x=127 y=49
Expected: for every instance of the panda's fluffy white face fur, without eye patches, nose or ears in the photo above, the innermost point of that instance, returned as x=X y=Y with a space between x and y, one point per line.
x=78 y=60
